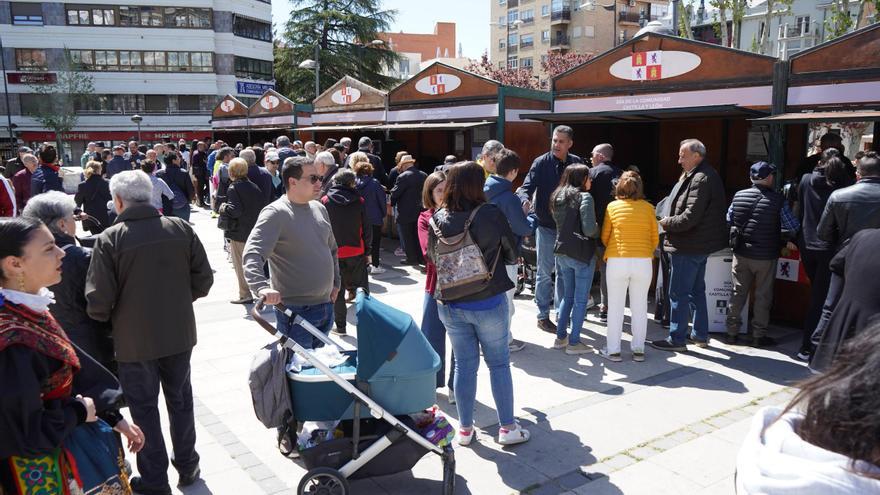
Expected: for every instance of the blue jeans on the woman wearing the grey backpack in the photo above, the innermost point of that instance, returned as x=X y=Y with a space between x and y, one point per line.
x=469 y=331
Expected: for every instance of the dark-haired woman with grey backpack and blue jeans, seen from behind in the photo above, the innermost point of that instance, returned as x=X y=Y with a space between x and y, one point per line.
x=478 y=320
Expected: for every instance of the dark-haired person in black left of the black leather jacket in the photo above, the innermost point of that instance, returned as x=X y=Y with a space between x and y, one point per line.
x=813 y=193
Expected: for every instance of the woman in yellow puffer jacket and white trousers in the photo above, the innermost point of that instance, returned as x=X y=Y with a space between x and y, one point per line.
x=630 y=235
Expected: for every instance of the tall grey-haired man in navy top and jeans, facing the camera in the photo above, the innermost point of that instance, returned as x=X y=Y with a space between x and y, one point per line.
x=542 y=179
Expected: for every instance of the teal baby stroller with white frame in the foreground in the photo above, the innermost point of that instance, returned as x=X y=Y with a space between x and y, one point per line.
x=391 y=375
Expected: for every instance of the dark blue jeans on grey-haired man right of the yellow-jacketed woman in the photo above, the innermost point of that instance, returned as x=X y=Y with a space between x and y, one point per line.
x=687 y=292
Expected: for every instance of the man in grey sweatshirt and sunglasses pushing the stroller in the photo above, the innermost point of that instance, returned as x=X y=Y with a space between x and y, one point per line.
x=294 y=234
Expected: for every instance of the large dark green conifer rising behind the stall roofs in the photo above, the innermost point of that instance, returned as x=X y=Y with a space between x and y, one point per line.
x=343 y=31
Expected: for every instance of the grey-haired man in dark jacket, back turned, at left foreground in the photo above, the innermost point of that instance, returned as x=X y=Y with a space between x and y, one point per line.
x=146 y=271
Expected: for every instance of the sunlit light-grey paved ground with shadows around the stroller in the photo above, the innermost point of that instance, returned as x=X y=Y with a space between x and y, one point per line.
x=669 y=425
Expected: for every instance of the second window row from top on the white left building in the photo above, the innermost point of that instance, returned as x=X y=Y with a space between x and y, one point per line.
x=143 y=61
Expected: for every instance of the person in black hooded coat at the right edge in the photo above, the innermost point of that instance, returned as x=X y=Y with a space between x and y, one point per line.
x=859 y=303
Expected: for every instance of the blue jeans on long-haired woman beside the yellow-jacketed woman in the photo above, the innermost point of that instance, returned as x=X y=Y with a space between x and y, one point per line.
x=574 y=279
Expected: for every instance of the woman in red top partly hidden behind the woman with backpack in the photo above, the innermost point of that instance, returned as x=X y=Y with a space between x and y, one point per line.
x=432 y=327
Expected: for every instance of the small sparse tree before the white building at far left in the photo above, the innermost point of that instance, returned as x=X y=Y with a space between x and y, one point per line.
x=59 y=101
